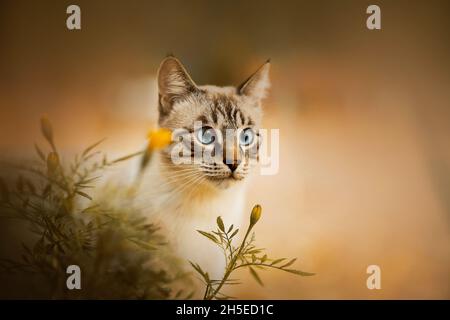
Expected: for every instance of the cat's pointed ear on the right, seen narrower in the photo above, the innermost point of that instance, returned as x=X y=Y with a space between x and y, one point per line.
x=257 y=84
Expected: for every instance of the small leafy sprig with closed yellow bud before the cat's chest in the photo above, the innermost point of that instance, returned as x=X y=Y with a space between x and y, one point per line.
x=246 y=255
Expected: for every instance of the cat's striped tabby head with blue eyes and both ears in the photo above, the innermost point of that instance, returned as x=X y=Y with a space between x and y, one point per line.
x=218 y=125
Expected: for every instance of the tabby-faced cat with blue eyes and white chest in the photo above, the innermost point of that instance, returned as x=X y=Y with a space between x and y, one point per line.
x=188 y=197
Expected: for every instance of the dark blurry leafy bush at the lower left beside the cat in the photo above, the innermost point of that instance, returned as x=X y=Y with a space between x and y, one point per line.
x=121 y=254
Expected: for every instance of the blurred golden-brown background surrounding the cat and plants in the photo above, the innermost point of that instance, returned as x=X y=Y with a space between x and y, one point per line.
x=363 y=117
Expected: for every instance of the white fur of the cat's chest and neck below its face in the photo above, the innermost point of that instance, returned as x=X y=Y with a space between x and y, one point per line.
x=183 y=212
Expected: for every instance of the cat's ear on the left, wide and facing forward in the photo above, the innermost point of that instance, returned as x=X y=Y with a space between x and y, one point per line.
x=174 y=83
